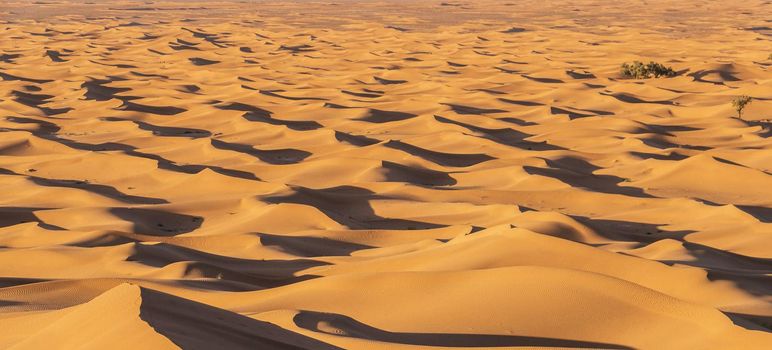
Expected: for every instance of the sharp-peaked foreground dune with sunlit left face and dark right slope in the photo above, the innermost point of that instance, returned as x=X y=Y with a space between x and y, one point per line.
x=144 y=318
